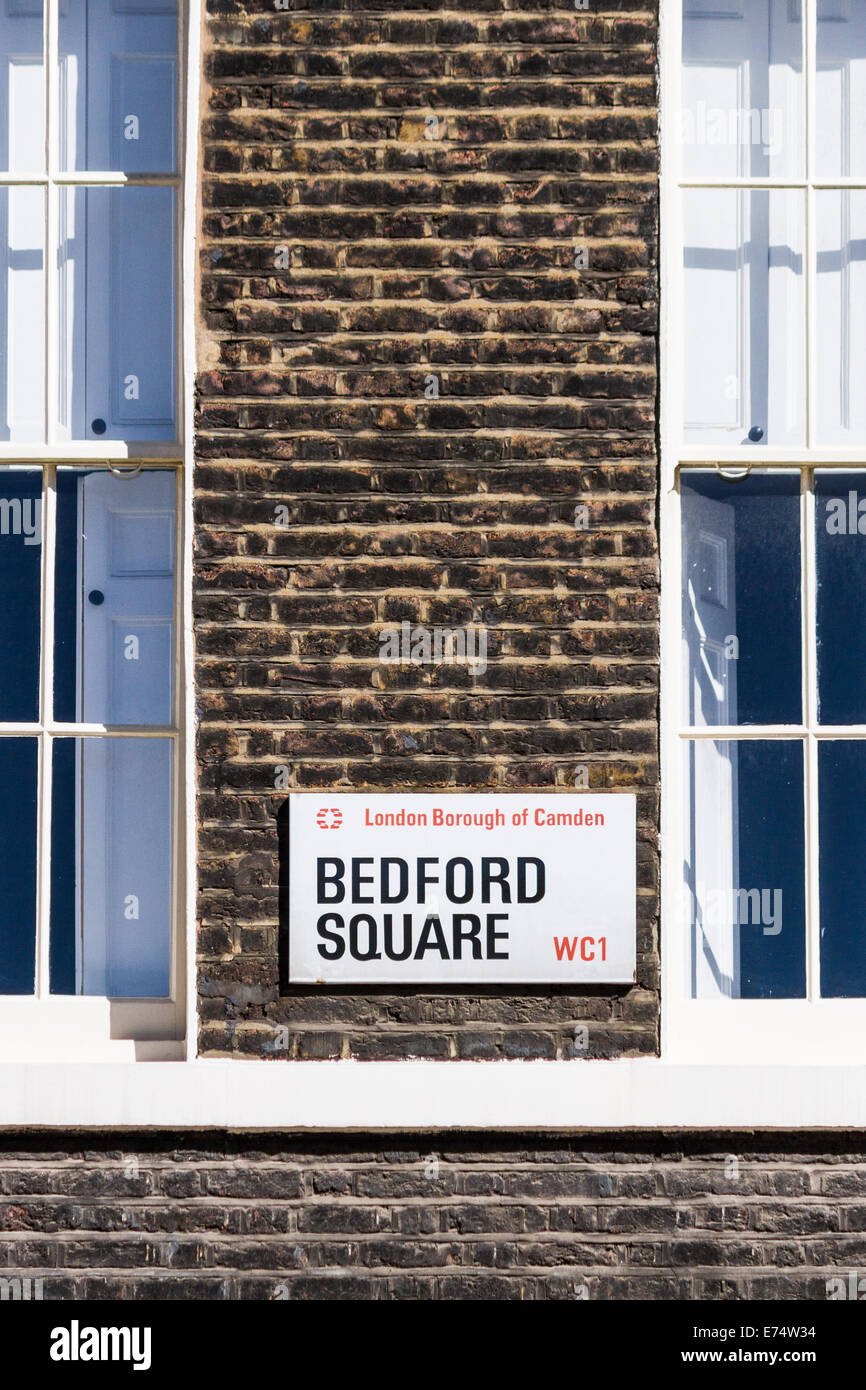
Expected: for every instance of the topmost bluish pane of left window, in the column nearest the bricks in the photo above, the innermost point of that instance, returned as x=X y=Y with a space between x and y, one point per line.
x=119 y=83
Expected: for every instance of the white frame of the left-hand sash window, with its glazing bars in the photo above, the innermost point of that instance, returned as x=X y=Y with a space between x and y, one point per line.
x=81 y=1028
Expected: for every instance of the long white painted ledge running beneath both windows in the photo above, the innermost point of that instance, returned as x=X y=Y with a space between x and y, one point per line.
x=423 y=1096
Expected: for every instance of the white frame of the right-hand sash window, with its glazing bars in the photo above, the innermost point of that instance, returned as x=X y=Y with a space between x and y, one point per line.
x=739 y=1031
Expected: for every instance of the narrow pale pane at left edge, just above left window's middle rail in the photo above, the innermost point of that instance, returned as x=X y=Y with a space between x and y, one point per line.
x=22 y=315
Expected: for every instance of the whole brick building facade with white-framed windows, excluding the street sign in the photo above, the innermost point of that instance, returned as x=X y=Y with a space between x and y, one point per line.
x=432 y=402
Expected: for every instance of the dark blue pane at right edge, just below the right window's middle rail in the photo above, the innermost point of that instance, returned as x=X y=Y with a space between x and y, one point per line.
x=840 y=544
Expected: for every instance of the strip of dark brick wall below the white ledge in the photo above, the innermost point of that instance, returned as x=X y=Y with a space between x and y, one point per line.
x=439 y=1217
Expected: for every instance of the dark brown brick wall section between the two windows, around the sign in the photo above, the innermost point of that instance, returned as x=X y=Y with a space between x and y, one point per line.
x=427 y=334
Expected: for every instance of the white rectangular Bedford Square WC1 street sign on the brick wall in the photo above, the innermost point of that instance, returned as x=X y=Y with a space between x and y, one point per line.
x=466 y=889
